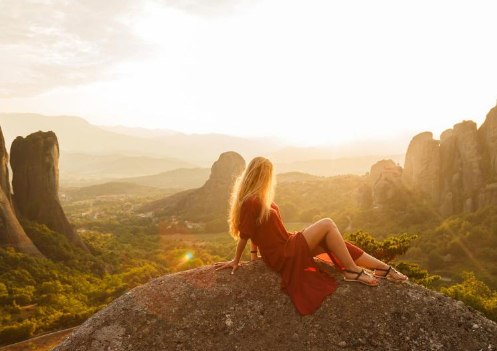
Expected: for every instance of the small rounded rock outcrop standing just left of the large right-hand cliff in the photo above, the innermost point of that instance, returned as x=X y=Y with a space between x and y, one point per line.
x=386 y=181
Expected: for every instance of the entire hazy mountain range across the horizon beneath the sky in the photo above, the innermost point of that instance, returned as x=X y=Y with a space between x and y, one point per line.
x=91 y=154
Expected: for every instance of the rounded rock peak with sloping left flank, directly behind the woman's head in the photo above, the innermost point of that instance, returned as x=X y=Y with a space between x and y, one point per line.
x=208 y=202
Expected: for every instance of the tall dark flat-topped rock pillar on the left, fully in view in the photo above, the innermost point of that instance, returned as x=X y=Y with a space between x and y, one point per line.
x=34 y=162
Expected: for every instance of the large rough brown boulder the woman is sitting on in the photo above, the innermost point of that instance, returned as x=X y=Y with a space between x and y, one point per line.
x=202 y=309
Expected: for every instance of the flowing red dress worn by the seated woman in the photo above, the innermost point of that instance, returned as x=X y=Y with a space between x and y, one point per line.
x=288 y=254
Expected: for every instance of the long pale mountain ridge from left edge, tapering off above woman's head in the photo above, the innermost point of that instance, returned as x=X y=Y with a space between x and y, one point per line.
x=76 y=135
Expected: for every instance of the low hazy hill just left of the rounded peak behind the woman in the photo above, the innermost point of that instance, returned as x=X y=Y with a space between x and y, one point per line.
x=177 y=178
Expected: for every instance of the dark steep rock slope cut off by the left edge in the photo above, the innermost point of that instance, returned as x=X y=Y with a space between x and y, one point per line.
x=11 y=232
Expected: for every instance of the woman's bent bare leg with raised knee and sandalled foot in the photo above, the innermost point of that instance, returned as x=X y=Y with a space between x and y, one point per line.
x=327 y=229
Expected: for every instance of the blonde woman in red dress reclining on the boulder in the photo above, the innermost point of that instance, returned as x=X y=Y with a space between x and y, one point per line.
x=254 y=216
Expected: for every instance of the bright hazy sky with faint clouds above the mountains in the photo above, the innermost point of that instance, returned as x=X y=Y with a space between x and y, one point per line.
x=316 y=72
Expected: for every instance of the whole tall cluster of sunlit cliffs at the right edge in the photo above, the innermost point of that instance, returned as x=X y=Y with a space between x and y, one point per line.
x=459 y=172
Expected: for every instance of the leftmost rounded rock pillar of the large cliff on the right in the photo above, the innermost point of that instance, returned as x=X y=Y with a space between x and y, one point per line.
x=422 y=166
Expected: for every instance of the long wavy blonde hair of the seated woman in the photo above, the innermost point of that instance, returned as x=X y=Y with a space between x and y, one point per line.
x=256 y=180
